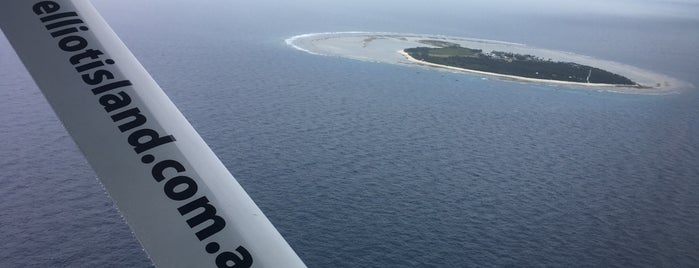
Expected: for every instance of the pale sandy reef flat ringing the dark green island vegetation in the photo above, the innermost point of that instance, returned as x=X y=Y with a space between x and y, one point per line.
x=388 y=48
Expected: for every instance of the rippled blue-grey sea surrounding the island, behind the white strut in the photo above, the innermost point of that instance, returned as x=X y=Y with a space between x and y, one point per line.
x=362 y=164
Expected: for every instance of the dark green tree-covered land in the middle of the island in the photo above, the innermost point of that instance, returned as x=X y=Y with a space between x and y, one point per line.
x=451 y=54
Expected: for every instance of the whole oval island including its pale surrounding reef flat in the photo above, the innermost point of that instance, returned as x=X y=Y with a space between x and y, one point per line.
x=506 y=60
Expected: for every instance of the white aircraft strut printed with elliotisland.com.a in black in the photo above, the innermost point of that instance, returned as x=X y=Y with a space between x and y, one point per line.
x=183 y=205
